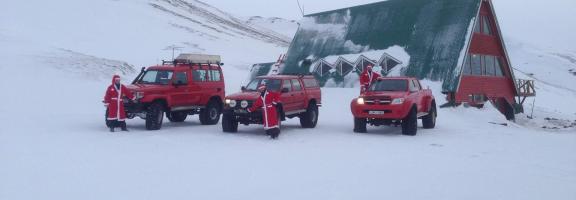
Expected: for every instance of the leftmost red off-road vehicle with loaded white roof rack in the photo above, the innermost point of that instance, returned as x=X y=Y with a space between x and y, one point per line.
x=191 y=84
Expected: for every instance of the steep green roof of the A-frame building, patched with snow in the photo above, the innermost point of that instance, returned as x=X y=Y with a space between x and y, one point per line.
x=434 y=33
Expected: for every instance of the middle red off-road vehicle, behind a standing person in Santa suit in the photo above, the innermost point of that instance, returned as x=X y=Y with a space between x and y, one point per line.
x=300 y=97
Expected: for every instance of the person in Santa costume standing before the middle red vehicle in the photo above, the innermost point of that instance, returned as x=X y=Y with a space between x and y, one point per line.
x=267 y=102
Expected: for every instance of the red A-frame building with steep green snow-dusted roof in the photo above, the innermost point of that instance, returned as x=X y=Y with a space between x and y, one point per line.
x=458 y=42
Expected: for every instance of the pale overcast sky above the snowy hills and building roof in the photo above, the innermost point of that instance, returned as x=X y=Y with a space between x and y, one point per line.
x=546 y=23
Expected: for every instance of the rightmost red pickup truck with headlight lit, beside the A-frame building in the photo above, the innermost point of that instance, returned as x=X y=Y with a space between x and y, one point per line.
x=395 y=101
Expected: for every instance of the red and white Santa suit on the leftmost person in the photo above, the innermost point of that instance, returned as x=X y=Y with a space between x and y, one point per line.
x=114 y=100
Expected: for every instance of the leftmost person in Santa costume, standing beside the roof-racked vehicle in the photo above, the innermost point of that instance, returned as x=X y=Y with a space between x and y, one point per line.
x=114 y=102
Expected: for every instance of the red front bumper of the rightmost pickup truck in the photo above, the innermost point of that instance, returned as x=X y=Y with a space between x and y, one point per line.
x=388 y=112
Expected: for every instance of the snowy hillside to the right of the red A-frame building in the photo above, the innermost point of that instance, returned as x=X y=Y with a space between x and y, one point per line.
x=555 y=92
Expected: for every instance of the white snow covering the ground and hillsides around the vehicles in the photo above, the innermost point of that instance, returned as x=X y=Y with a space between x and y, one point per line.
x=54 y=145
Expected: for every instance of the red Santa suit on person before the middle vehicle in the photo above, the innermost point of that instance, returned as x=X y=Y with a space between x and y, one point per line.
x=267 y=103
